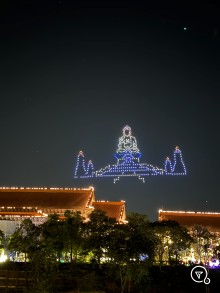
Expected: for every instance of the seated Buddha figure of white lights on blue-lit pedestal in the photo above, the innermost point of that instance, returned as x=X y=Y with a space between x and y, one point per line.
x=127 y=151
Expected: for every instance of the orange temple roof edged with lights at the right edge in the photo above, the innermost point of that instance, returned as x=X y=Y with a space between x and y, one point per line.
x=210 y=220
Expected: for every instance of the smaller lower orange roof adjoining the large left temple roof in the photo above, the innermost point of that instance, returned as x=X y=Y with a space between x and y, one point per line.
x=113 y=209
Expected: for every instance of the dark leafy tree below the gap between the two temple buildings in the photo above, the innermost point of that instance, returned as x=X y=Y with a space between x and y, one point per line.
x=131 y=250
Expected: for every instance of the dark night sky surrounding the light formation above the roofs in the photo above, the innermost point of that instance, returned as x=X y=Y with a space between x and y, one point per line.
x=74 y=73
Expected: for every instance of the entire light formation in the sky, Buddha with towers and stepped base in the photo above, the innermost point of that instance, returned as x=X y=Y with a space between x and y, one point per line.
x=128 y=162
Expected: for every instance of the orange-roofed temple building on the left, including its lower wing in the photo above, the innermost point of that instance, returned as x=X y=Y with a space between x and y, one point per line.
x=17 y=204
